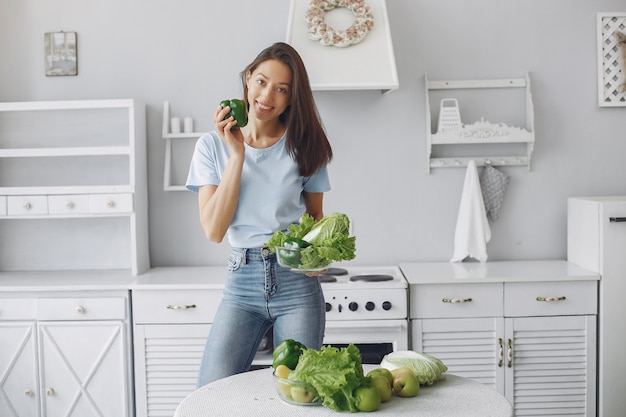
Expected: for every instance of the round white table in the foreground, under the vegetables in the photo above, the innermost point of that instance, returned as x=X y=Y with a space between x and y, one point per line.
x=253 y=394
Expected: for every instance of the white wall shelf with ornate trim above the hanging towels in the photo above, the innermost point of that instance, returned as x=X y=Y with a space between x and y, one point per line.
x=480 y=132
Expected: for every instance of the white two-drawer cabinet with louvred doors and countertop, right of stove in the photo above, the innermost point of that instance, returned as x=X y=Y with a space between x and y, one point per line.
x=534 y=340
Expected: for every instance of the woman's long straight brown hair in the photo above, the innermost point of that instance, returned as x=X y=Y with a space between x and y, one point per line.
x=306 y=139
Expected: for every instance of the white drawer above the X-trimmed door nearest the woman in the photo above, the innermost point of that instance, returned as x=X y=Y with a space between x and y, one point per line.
x=81 y=308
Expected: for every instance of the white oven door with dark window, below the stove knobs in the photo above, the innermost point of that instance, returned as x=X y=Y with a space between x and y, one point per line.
x=374 y=338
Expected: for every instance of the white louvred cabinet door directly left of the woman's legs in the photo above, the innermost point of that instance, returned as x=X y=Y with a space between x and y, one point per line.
x=167 y=360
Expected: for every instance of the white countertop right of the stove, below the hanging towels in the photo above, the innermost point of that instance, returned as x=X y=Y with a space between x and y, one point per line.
x=503 y=271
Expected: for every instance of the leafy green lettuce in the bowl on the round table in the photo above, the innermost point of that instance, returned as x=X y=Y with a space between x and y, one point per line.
x=335 y=373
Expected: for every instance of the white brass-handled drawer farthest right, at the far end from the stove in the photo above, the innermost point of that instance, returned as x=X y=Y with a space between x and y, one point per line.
x=550 y=298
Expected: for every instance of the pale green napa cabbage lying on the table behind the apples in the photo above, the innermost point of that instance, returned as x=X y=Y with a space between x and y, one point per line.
x=427 y=367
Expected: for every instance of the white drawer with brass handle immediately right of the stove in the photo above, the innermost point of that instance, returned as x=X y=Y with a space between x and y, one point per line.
x=456 y=300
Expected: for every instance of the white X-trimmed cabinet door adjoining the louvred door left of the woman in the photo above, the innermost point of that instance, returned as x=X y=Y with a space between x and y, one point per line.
x=84 y=369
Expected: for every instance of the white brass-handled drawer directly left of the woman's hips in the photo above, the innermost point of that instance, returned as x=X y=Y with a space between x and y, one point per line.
x=175 y=306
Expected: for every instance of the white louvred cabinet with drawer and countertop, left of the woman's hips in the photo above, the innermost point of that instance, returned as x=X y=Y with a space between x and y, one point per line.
x=173 y=309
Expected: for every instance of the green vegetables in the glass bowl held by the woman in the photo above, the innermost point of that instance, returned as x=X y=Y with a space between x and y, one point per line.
x=316 y=244
